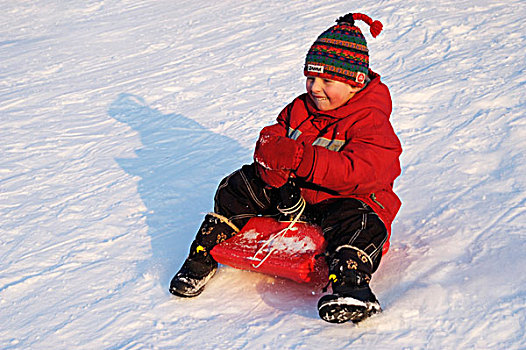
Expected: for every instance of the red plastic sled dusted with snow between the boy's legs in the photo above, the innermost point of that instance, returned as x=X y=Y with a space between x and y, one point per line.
x=276 y=248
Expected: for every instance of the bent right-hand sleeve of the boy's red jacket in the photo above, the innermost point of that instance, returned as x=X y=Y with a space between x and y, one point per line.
x=367 y=162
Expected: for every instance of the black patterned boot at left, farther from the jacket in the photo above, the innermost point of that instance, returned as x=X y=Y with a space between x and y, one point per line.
x=200 y=267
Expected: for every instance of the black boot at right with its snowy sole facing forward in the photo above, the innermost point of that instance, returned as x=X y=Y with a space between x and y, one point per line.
x=352 y=298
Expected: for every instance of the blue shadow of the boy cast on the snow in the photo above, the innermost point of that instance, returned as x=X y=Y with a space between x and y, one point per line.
x=180 y=164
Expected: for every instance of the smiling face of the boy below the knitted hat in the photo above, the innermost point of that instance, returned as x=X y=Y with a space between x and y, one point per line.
x=329 y=94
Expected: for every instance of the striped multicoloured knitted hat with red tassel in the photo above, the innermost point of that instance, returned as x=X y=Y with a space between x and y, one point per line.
x=340 y=53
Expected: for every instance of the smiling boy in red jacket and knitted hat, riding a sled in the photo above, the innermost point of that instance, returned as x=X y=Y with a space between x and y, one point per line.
x=333 y=147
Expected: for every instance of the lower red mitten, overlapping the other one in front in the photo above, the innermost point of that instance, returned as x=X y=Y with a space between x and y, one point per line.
x=278 y=152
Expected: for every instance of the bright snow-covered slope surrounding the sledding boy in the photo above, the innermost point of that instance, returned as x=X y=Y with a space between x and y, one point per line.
x=119 y=118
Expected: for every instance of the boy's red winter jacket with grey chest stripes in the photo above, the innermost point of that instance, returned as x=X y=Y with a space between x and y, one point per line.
x=354 y=150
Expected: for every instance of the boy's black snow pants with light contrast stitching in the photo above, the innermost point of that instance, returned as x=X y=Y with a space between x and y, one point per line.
x=344 y=221
